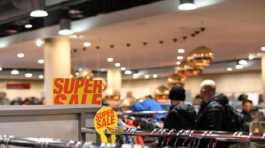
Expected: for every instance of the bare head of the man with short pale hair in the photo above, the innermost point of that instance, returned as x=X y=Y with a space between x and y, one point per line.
x=208 y=90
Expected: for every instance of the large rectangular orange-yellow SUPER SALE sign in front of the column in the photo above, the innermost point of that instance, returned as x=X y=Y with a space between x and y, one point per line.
x=77 y=91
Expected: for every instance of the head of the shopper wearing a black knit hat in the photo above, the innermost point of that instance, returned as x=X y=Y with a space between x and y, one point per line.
x=177 y=95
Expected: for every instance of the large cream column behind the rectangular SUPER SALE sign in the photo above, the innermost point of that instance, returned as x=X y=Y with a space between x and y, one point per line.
x=57 y=57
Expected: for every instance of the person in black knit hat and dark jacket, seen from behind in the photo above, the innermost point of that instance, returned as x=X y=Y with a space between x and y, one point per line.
x=180 y=115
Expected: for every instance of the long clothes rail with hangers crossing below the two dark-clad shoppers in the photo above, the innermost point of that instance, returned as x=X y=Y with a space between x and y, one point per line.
x=193 y=134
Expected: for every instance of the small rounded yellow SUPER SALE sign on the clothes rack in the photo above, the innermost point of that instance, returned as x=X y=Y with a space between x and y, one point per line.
x=106 y=119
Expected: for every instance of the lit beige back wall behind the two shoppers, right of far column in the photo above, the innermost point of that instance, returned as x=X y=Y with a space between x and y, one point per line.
x=249 y=82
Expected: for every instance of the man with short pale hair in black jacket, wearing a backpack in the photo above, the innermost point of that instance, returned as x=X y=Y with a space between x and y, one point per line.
x=215 y=113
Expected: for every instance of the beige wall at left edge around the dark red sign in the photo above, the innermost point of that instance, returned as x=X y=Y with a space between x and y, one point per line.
x=36 y=89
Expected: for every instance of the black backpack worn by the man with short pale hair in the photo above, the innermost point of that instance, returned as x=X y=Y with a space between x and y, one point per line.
x=233 y=120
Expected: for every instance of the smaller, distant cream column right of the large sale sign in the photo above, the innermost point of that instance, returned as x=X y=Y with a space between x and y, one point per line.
x=114 y=80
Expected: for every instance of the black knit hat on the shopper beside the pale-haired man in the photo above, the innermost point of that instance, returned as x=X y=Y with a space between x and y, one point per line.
x=177 y=93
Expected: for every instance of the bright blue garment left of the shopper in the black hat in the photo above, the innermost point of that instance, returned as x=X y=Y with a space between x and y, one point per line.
x=148 y=105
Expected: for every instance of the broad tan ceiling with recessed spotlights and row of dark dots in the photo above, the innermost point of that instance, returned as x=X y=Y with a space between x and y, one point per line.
x=233 y=29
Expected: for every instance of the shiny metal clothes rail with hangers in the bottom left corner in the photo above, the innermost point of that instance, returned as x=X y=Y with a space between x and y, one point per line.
x=41 y=142
